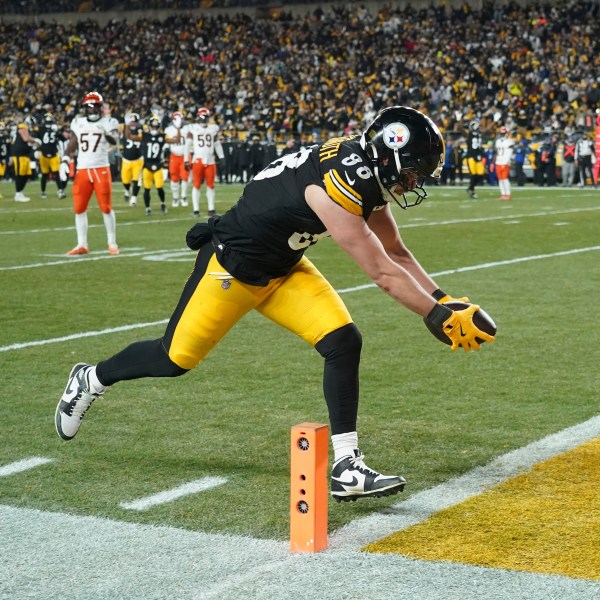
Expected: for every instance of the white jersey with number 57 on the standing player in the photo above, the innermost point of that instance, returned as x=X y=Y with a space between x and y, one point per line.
x=92 y=146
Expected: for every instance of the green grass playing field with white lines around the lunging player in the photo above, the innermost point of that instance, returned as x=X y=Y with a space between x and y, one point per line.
x=426 y=412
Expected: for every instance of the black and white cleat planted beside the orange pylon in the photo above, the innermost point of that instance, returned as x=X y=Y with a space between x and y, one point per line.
x=352 y=479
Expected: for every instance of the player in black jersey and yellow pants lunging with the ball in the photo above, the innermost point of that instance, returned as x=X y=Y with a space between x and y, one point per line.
x=252 y=257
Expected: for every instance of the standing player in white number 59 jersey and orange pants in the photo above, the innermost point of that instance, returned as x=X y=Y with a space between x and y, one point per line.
x=202 y=146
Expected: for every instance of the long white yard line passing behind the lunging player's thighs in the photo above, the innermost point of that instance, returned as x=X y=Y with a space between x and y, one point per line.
x=75 y=336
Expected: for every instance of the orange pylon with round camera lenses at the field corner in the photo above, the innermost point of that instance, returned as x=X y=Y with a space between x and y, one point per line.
x=308 y=489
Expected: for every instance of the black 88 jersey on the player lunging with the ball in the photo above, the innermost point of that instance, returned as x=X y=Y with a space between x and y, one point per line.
x=271 y=226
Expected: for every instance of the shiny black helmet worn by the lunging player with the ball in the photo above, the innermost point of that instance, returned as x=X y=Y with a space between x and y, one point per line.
x=402 y=143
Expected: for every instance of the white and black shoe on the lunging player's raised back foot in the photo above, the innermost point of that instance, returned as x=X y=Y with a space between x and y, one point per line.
x=75 y=401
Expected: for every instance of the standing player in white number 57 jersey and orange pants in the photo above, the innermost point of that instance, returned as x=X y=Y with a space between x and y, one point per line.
x=92 y=135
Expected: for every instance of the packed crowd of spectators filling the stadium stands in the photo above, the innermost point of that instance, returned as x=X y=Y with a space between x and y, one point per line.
x=532 y=68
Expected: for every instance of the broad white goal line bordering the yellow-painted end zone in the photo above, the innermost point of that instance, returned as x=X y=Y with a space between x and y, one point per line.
x=421 y=506
